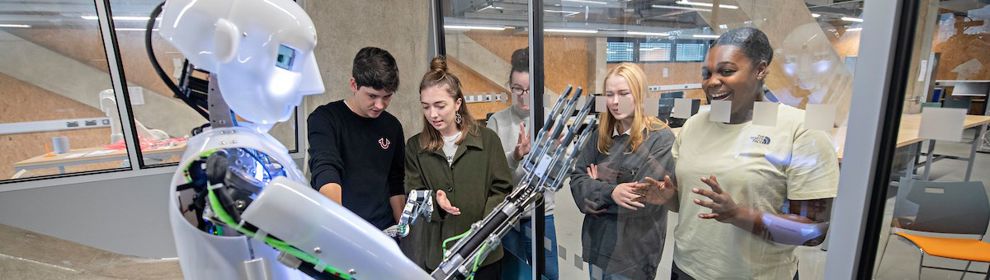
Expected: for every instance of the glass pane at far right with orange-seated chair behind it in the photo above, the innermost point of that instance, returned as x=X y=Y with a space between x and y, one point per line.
x=934 y=210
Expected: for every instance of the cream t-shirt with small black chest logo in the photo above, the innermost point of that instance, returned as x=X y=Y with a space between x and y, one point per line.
x=761 y=167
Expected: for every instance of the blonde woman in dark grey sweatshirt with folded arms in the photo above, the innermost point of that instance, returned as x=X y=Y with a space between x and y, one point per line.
x=616 y=183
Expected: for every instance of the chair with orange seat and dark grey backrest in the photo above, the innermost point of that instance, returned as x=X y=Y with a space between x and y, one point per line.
x=958 y=208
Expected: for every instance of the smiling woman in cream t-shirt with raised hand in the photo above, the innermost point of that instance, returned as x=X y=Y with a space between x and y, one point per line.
x=763 y=190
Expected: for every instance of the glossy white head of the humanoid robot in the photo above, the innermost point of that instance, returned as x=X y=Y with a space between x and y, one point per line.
x=260 y=50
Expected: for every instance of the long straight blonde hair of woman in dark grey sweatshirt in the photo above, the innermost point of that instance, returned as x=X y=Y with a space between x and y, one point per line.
x=642 y=124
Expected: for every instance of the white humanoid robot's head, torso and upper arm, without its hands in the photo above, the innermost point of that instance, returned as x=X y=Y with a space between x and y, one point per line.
x=239 y=206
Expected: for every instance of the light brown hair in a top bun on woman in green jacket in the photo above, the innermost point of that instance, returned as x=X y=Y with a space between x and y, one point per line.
x=430 y=139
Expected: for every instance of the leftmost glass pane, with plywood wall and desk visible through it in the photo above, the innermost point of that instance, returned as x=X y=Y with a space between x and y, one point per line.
x=56 y=126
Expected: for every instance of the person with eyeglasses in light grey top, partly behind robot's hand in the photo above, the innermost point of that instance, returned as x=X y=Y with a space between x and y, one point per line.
x=510 y=125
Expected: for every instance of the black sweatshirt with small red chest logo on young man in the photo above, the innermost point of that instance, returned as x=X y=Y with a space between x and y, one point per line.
x=365 y=156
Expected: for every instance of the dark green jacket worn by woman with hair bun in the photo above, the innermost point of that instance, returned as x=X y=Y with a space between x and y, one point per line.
x=476 y=182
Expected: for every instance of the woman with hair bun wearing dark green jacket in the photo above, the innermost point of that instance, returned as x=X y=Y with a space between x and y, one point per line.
x=461 y=162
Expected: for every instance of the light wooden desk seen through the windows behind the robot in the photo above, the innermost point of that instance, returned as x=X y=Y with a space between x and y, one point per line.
x=91 y=155
